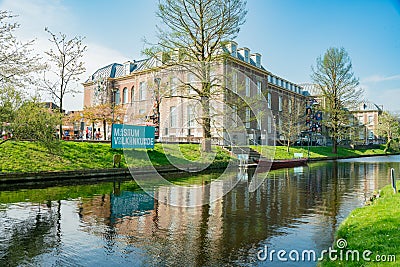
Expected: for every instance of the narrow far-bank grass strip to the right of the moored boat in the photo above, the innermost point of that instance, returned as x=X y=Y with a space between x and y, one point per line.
x=318 y=152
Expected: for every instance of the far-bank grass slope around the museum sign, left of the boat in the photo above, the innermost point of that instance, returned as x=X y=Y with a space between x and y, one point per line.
x=27 y=156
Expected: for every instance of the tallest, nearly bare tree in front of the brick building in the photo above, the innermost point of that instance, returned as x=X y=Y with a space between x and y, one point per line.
x=191 y=37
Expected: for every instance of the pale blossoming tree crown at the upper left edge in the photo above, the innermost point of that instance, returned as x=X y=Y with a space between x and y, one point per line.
x=17 y=62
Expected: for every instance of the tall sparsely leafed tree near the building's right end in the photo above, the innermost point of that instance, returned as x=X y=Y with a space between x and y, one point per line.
x=334 y=77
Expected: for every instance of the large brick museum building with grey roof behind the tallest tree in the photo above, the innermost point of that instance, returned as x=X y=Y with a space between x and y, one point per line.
x=166 y=97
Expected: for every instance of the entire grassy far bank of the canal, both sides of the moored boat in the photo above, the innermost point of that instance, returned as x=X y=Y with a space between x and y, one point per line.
x=32 y=159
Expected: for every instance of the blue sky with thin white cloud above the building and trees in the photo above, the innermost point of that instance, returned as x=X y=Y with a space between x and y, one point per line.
x=289 y=34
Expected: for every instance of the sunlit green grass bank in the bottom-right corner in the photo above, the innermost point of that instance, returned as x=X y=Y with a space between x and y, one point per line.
x=376 y=228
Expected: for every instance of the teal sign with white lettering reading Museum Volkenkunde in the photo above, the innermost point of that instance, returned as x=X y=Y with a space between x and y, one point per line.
x=132 y=136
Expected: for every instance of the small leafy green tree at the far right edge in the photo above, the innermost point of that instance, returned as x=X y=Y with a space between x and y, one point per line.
x=389 y=128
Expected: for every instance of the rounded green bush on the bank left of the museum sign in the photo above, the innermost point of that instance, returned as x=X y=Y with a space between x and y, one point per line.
x=36 y=123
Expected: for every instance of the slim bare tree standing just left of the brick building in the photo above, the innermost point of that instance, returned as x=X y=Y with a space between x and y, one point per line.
x=66 y=57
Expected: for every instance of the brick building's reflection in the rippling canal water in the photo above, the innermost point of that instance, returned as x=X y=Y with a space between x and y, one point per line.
x=232 y=227
